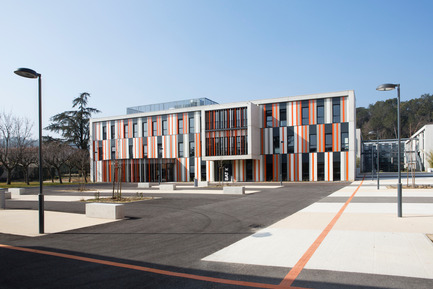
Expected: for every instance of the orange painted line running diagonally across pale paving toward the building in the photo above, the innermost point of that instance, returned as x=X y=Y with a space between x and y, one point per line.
x=299 y=266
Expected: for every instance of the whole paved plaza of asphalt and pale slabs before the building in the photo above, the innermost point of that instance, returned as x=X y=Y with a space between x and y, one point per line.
x=304 y=235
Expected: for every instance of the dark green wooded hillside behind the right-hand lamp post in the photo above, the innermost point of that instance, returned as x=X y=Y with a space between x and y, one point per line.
x=382 y=117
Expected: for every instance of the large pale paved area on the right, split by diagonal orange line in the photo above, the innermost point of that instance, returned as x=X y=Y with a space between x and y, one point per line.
x=367 y=238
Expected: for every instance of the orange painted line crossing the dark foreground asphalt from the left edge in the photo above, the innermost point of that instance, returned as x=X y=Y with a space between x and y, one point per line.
x=144 y=269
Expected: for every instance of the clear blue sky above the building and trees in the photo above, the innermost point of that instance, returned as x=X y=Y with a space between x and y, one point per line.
x=129 y=53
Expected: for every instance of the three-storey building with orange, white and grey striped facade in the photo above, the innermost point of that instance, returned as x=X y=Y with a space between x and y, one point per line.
x=301 y=138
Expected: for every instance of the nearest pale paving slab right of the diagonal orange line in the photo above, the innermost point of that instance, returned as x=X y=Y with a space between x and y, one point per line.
x=386 y=253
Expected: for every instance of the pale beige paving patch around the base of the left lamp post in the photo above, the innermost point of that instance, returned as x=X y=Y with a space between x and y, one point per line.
x=26 y=222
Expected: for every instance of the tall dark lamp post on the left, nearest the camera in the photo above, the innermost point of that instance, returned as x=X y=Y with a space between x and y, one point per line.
x=29 y=73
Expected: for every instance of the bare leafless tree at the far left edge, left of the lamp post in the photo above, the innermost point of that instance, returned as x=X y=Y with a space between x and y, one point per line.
x=15 y=137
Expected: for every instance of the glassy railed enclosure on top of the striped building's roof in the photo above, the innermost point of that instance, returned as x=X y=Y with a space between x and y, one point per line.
x=170 y=105
